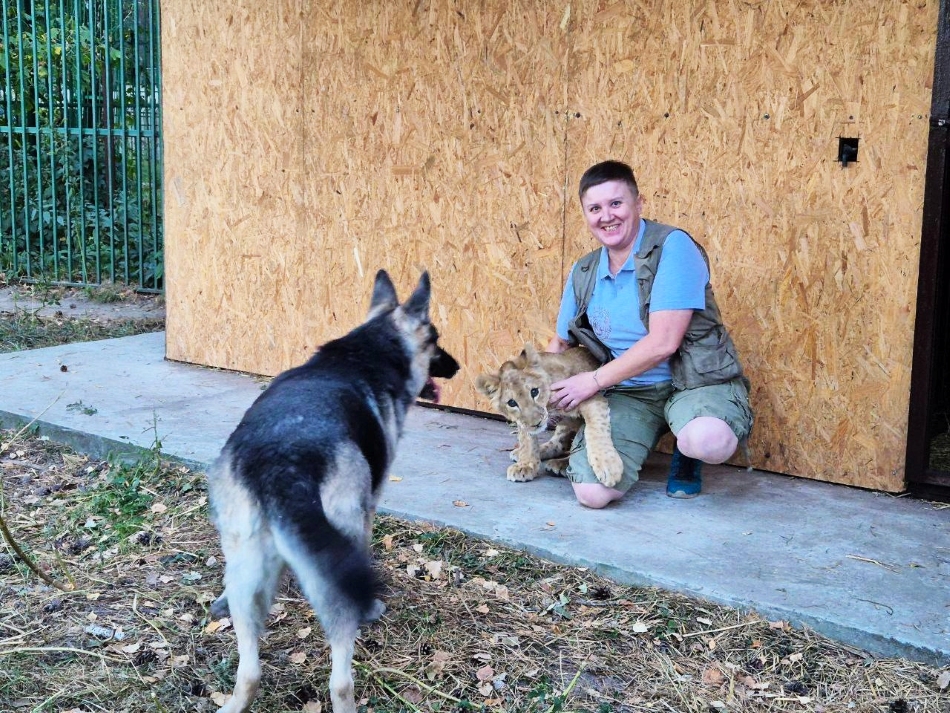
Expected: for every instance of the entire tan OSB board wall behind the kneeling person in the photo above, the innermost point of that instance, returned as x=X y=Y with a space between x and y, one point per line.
x=310 y=143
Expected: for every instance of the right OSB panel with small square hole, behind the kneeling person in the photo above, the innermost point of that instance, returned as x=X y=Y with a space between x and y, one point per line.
x=730 y=114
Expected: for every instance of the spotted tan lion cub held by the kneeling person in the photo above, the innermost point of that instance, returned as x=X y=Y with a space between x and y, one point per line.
x=520 y=392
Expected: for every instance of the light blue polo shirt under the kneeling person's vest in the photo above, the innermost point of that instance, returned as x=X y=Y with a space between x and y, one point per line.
x=614 y=309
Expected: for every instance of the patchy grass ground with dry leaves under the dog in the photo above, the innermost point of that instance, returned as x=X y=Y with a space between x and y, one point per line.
x=471 y=626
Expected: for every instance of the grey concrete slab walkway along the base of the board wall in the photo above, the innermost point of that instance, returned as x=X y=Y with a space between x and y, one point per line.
x=868 y=569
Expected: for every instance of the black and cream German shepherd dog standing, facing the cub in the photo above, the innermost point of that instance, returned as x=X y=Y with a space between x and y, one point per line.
x=296 y=484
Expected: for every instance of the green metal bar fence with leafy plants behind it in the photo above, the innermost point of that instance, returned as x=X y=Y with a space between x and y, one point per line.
x=80 y=142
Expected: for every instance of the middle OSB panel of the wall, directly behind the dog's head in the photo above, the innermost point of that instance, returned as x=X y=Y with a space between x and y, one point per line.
x=434 y=141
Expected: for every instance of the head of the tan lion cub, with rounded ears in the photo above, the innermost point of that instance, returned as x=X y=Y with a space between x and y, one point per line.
x=520 y=390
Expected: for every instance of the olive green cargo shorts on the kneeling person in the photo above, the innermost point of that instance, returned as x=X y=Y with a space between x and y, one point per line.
x=640 y=415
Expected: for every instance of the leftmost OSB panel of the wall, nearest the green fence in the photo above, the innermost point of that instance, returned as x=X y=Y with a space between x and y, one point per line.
x=233 y=177
